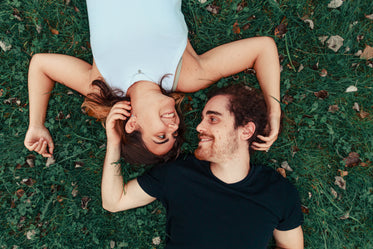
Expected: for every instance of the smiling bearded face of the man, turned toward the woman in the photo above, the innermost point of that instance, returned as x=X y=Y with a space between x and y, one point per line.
x=218 y=140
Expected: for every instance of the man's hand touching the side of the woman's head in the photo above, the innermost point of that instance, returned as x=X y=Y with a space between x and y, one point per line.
x=120 y=111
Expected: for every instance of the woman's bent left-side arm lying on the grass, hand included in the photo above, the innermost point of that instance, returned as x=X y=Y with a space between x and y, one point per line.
x=44 y=71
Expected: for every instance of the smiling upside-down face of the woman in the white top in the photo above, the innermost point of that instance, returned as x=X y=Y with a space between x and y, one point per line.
x=158 y=122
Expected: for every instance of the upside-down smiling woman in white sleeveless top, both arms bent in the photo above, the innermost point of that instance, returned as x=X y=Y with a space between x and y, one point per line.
x=134 y=52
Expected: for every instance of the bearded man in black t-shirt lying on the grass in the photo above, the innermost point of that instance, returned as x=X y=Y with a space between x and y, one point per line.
x=222 y=201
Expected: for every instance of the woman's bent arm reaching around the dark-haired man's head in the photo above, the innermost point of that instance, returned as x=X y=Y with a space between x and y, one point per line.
x=260 y=53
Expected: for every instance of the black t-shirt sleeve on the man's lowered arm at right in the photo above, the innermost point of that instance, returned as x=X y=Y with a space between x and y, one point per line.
x=293 y=216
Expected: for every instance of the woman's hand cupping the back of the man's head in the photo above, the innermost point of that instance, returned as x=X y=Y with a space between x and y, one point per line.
x=274 y=125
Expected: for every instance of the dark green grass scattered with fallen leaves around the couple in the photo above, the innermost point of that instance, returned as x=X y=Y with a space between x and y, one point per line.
x=46 y=207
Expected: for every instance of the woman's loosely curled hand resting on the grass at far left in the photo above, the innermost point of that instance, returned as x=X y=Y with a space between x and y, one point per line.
x=39 y=139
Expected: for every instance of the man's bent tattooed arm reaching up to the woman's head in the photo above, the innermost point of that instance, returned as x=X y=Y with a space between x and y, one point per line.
x=115 y=195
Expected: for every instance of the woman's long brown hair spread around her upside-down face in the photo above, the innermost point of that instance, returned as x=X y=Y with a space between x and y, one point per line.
x=133 y=149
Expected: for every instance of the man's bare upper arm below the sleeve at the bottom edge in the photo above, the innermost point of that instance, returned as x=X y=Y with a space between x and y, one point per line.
x=291 y=239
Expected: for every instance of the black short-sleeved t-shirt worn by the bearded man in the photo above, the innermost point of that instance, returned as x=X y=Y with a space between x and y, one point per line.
x=204 y=212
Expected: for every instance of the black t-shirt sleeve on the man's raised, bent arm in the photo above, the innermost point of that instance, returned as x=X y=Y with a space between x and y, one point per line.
x=153 y=181
